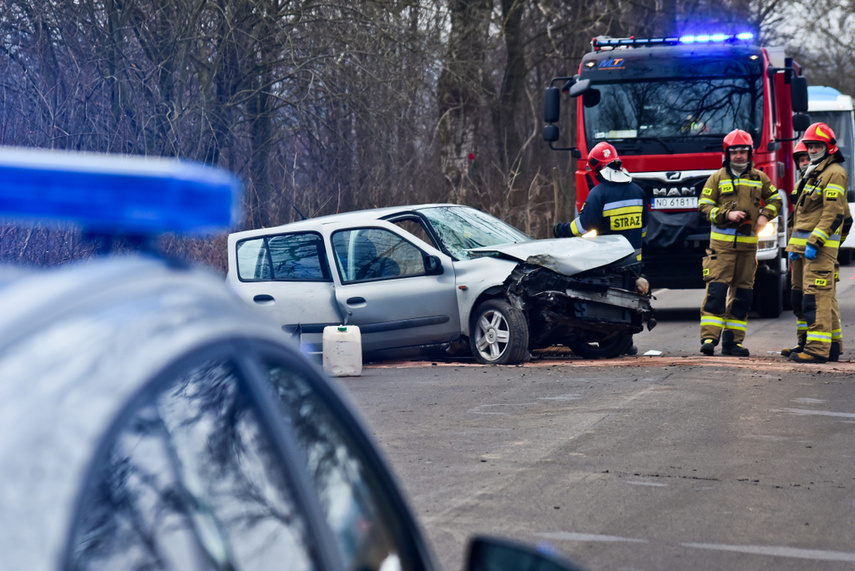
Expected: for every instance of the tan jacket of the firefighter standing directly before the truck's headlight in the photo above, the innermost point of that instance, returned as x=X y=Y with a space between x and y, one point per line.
x=724 y=192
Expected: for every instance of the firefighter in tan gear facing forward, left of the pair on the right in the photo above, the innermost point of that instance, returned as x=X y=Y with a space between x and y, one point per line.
x=739 y=201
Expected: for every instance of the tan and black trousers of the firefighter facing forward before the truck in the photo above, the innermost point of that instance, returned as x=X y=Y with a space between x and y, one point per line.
x=730 y=288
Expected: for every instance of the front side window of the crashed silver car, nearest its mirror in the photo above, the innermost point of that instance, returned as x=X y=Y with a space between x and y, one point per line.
x=375 y=253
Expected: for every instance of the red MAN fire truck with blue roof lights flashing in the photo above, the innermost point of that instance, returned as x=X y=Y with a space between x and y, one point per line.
x=666 y=105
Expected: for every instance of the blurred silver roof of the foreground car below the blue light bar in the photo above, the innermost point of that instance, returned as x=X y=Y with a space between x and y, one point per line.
x=64 y=335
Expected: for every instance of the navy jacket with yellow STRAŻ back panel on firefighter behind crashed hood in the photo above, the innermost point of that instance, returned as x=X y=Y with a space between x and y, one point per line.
x=611 y=208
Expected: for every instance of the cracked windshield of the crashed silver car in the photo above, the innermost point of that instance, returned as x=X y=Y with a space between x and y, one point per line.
x=461 y=228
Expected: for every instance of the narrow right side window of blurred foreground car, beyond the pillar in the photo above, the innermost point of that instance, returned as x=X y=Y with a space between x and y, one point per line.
x=370 y=528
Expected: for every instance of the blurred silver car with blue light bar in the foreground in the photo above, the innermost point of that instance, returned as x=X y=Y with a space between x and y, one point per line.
x=151 y=420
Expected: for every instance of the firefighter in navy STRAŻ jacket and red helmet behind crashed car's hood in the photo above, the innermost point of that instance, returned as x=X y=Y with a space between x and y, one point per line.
x=616 y=205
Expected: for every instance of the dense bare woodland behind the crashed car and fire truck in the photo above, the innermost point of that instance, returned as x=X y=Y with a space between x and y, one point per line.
x=324 y=107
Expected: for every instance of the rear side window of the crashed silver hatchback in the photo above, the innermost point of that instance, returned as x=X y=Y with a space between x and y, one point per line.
x=284 y=257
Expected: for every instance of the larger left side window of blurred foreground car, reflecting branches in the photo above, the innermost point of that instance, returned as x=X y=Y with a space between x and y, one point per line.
x=191 y=481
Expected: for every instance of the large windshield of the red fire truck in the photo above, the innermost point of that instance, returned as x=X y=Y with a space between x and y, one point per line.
x=668 y=101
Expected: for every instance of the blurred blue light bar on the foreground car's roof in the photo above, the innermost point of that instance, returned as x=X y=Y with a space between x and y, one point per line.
x=117 y=194
